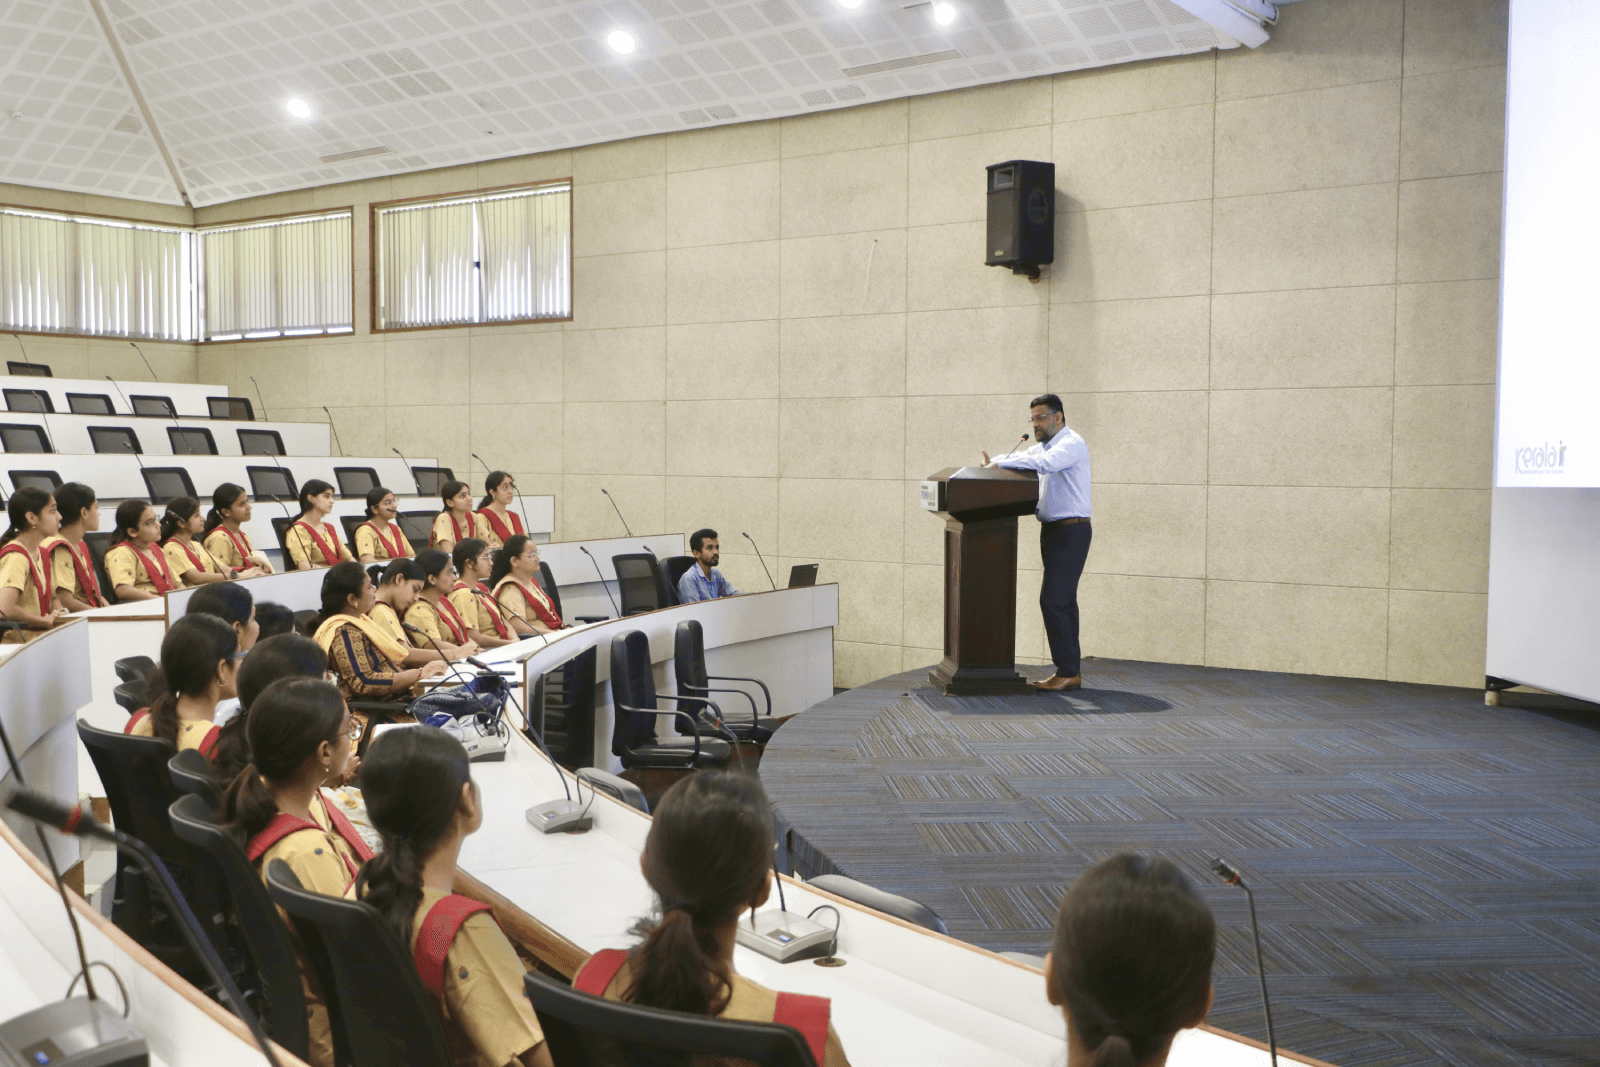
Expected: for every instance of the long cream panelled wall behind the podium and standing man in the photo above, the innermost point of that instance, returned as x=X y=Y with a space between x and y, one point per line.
x=1273 y=318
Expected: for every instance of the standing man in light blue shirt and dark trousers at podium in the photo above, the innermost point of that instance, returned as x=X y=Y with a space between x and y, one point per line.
x=1063 y=463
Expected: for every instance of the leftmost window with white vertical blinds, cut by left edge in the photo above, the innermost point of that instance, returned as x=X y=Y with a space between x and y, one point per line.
x=97 y=278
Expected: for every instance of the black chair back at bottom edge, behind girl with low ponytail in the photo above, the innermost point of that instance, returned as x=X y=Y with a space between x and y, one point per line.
x=583 y=1029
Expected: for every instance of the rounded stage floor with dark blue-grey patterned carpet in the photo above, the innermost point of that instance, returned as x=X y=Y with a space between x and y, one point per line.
x=1426 y=868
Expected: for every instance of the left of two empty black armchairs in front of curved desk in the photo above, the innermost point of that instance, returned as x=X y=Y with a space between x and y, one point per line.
x=634 y=698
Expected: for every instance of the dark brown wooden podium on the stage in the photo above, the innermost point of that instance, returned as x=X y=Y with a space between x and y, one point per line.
x=980 y=508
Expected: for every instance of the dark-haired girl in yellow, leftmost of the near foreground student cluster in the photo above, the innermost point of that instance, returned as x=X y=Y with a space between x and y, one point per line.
x=196 y=674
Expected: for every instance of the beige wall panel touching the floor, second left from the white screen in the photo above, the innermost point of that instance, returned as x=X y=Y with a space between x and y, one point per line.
x=1303 y=629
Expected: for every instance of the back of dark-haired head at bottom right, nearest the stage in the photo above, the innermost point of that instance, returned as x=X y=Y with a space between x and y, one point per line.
x=1130 y=964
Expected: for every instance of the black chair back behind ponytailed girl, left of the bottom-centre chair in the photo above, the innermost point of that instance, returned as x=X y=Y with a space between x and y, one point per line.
x=377 y=1004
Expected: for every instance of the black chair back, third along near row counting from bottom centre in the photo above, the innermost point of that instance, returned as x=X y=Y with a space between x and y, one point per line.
x=266 y=940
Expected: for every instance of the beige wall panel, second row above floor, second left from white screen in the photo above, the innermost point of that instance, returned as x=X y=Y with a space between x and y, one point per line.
x=1300 y=535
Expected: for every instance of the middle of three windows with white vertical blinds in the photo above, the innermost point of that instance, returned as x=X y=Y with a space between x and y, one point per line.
x=282 y=278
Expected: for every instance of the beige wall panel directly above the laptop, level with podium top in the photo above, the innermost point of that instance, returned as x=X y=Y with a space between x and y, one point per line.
x=830 y=519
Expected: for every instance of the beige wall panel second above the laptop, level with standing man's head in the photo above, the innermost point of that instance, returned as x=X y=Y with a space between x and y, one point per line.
x=842 y=439
